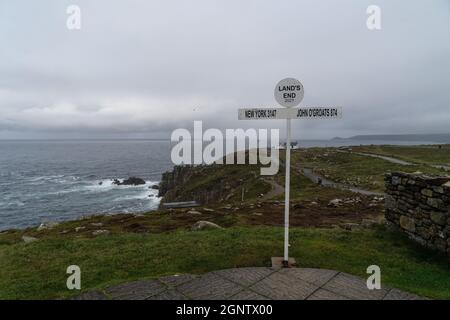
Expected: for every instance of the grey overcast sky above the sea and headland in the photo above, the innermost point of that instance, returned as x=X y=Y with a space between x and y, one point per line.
x=144 y=68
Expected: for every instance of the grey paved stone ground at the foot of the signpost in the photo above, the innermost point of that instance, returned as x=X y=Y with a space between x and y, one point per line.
x=252 y=284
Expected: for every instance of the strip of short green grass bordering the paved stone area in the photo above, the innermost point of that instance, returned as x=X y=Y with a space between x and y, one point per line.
x=38 y=270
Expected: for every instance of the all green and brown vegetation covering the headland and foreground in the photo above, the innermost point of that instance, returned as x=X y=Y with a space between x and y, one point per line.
x=161 y=243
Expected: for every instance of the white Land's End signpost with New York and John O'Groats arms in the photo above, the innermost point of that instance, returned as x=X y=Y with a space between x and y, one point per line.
x=288 y=93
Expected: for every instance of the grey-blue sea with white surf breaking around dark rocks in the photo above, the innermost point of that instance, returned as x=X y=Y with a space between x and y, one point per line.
x=57 y=180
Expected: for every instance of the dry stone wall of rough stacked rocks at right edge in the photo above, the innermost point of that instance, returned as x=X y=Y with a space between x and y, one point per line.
x=420 y=206
